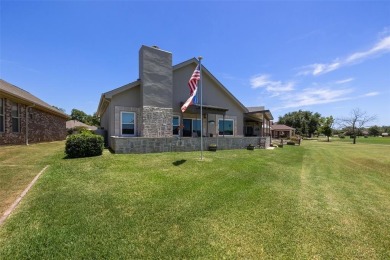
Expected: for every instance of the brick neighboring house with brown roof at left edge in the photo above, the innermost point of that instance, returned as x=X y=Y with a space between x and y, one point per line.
x=26 y=119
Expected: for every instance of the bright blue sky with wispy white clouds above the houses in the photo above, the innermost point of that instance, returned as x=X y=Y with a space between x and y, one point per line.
x=323 y=56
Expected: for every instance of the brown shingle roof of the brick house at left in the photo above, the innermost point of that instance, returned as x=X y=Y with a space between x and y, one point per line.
x=27 y=98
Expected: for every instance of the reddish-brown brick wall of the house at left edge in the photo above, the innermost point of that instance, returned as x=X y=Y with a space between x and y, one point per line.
x=42 y=126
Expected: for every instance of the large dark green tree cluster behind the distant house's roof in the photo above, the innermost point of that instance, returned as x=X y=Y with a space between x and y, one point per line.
x=305 y=122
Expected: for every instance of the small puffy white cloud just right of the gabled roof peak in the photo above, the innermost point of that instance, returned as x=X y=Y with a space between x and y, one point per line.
x=272 y=86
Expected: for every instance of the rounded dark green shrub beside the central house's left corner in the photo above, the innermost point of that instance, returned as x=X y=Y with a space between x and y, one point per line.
x=84 y=145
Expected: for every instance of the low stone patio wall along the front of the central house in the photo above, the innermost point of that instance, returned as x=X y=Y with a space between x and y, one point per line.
x=122 y=145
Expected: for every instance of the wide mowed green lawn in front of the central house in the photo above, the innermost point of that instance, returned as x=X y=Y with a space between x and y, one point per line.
x=319 y=200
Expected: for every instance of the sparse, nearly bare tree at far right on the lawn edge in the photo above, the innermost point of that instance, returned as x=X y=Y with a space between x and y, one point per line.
x=356 y=121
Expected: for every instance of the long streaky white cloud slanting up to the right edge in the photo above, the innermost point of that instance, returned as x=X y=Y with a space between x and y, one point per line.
x=381 y=47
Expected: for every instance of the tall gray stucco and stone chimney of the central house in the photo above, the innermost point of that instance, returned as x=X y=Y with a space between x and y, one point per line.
x=155 y=72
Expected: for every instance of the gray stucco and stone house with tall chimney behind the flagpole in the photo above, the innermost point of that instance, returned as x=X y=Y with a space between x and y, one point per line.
x=150 y=108
